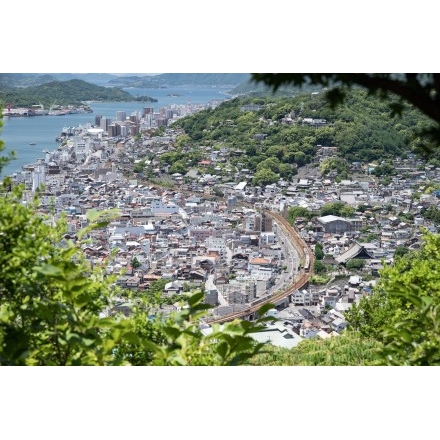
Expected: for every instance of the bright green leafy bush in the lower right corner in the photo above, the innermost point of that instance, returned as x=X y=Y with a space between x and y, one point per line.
x=403 y=311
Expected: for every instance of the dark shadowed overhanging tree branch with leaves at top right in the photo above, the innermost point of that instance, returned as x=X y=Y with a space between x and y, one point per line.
x=399 y=94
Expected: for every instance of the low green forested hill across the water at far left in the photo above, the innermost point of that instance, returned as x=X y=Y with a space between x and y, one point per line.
x=71 y=92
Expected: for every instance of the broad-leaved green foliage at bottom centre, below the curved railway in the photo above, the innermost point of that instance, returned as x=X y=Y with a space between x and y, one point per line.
x=178 y=340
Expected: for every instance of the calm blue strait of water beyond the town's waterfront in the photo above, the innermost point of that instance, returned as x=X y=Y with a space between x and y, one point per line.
x=17 y=133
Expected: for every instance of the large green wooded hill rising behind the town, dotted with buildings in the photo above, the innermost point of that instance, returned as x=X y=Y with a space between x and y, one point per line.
x=363 y=128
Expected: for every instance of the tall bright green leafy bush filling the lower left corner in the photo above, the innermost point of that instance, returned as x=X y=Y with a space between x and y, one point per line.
x=50 y=297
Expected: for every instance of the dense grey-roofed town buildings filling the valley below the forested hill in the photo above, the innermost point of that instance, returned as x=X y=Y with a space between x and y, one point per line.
x=211 y=229
